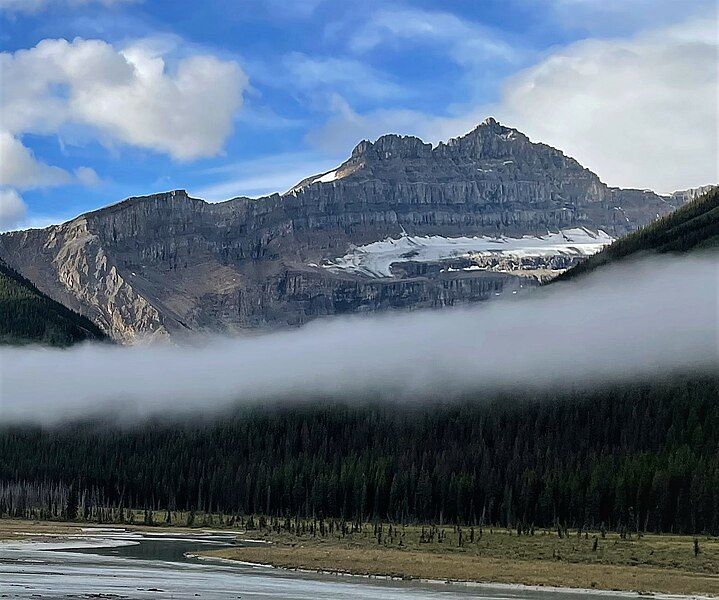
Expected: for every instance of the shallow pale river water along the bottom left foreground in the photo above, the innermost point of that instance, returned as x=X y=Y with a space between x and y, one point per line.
x=114 y=564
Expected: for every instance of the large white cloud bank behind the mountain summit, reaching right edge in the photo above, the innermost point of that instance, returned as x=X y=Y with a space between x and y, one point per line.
x=640 y=112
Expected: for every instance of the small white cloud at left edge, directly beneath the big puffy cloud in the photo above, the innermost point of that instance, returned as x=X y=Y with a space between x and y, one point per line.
x=19 y=168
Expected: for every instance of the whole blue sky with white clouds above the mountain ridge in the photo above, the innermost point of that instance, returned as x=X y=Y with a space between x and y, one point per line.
x=103 y=99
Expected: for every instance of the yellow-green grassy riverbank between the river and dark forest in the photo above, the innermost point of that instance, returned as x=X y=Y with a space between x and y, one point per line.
x=647 y=563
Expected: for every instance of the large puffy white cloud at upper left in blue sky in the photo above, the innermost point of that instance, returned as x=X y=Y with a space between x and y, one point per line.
x=128 y=95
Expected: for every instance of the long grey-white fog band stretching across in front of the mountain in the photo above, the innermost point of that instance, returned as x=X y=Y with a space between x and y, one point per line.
x=642 y=319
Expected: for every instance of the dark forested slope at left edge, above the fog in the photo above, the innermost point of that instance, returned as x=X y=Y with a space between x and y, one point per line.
x=29 y=316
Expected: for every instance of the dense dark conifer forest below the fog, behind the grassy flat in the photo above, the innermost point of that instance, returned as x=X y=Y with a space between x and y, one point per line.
x=642 y=456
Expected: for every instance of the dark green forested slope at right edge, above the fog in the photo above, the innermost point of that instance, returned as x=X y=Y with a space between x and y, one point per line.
x=694 y=226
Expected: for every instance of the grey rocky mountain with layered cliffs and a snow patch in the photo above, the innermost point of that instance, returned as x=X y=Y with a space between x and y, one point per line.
x=459 y=212
